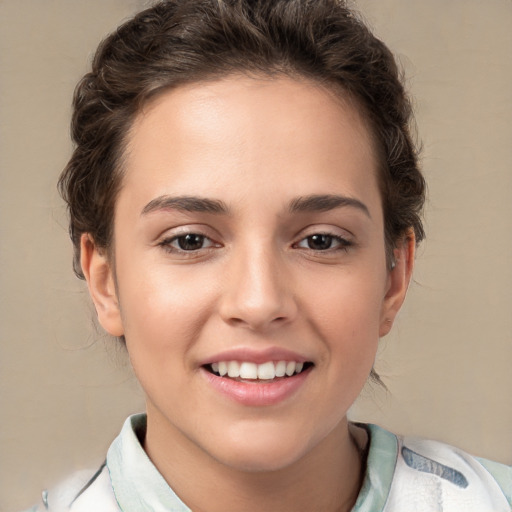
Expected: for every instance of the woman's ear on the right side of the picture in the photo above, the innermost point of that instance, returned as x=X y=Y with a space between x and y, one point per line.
x=398 y=281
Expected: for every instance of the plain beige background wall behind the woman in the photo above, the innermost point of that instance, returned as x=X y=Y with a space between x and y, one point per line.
x=65 y=389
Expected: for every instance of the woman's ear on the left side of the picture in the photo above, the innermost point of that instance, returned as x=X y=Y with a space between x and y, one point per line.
x=99 y=275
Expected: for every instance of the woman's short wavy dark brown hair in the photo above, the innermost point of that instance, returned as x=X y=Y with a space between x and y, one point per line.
x=183 y=41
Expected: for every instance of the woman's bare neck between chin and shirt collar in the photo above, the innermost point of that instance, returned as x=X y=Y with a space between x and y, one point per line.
x=327 y=478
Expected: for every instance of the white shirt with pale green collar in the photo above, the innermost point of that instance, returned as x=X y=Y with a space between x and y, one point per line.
x=403 y=474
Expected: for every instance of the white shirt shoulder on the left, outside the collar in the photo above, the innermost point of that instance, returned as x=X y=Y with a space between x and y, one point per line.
x=82 y=492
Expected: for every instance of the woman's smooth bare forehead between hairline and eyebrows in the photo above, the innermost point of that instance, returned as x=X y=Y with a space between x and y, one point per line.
x=277 y=131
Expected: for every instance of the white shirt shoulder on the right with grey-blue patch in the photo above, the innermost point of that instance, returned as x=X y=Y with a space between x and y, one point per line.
x=429 y=475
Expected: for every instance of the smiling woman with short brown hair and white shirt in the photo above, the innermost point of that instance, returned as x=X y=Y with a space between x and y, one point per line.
x=245 y=205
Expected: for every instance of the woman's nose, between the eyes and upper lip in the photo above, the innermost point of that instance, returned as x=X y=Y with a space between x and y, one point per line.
x=258 y=291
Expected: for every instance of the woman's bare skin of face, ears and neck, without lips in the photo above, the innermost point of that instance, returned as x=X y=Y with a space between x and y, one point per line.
x=257 y=282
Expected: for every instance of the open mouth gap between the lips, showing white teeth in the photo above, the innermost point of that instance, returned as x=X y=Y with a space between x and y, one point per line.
x=245 y=371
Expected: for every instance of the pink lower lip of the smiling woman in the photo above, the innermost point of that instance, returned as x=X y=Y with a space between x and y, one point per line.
x=257 y=393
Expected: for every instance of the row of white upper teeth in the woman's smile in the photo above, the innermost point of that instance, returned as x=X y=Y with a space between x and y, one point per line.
x=253 y=371
